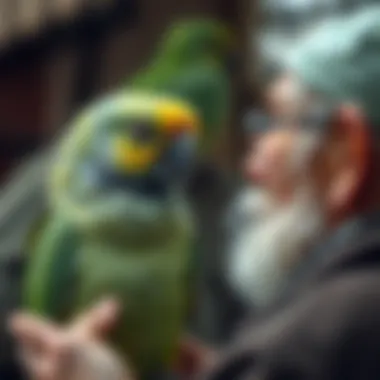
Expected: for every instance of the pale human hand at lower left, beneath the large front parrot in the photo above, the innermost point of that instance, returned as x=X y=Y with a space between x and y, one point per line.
x=75 y=352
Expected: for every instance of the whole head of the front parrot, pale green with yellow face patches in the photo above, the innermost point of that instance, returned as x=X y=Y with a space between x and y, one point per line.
x=120 y=166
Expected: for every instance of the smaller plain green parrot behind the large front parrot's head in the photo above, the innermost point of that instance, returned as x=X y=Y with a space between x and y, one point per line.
x=192 y=62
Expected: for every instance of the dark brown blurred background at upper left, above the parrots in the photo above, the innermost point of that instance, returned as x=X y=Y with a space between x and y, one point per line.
x=56 y=55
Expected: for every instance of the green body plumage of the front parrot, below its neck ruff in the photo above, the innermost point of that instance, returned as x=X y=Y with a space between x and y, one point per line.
x=68 y=274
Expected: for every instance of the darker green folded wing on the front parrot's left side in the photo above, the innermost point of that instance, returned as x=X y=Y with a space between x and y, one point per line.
x=51 y=271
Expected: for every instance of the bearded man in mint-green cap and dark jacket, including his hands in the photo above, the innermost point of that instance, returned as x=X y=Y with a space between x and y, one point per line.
x=312 y=263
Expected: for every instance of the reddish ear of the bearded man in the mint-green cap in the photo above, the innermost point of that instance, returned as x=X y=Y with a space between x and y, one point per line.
x=351 y=156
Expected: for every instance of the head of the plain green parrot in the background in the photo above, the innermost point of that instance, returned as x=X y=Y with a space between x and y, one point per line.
x=193 y=40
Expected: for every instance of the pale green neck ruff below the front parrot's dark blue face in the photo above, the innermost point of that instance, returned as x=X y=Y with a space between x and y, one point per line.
x=128 y=218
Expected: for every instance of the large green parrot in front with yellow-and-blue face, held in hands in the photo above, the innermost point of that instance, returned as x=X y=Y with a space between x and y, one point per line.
x=119 y=224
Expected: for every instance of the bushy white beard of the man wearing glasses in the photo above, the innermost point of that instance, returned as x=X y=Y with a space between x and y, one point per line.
x=270 y=244
